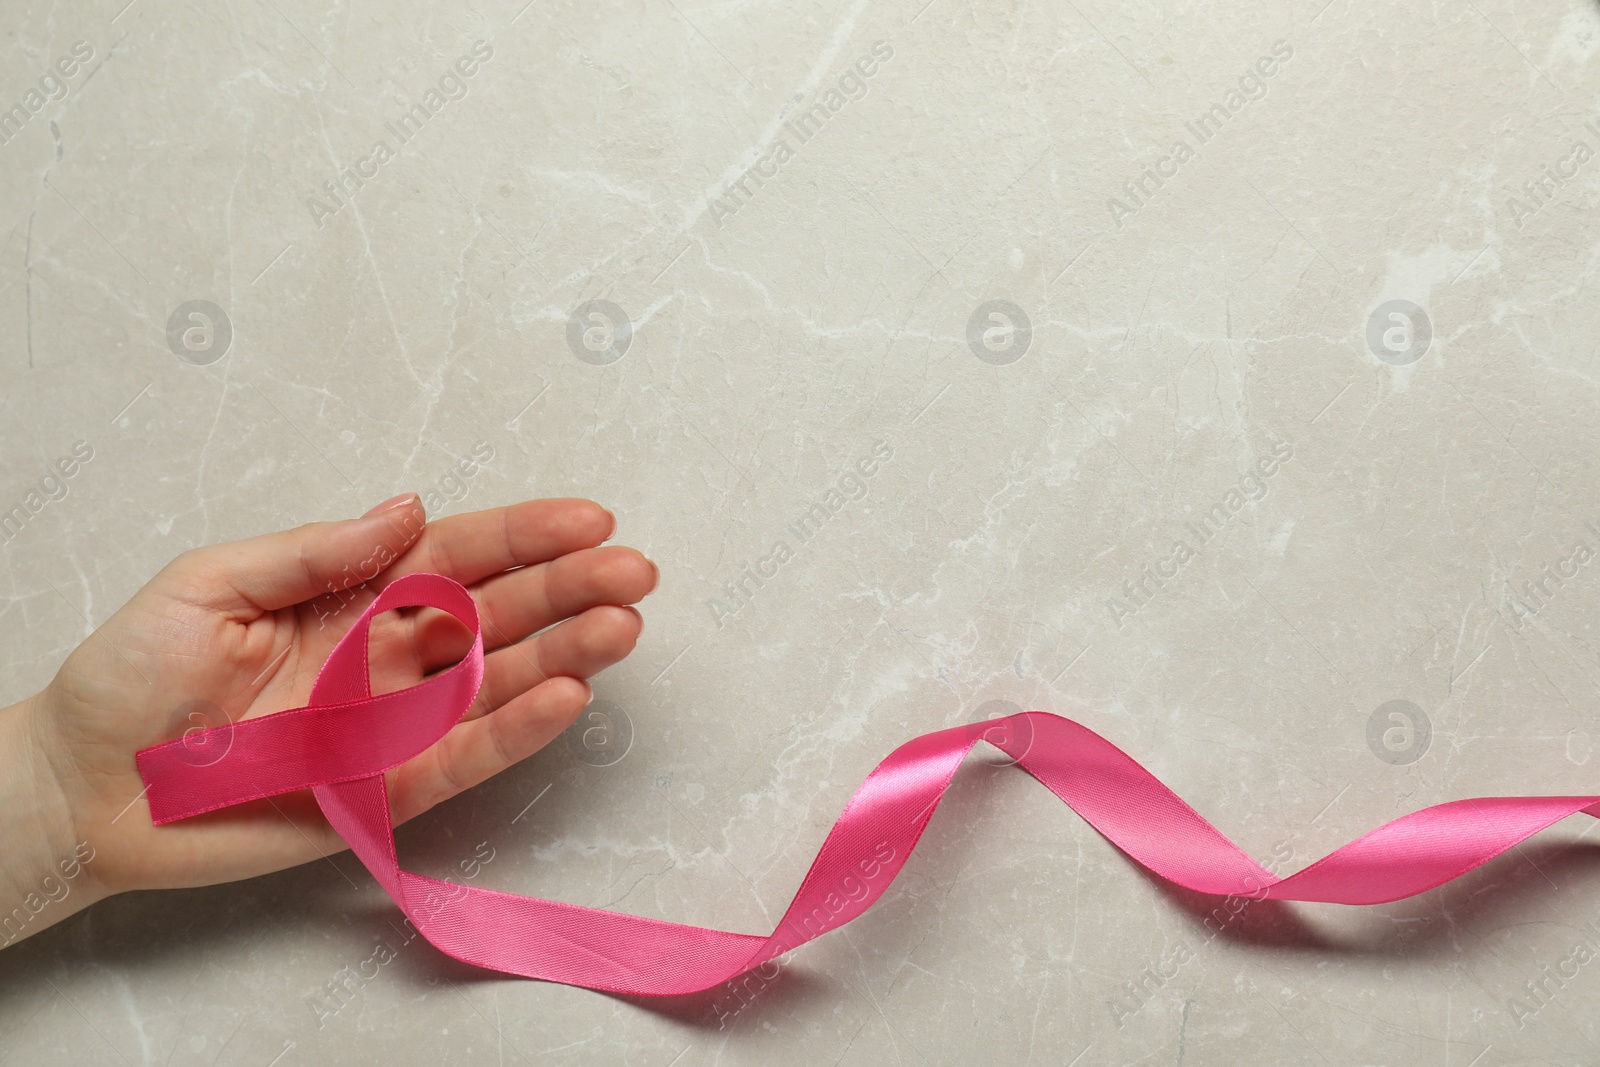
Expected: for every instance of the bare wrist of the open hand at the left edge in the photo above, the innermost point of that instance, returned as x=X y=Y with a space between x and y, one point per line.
x=46 y=868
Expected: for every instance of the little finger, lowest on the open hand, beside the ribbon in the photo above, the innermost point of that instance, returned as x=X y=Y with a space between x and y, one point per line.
x=479 y=749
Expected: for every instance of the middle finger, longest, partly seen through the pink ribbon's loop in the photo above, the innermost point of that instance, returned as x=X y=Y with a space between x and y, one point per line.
x=530 y=599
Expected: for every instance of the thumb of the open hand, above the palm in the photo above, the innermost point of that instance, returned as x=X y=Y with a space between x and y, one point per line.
x=290 y=567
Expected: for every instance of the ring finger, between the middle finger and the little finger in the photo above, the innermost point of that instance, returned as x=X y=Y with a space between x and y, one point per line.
x=577 y=649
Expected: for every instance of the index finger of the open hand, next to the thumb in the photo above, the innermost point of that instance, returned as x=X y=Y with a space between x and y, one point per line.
x=474 y=546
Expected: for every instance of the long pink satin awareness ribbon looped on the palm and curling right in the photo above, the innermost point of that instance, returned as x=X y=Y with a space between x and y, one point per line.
x=342 y=743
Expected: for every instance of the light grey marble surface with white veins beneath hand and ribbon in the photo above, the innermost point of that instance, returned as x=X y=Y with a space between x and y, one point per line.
x=1375 y=260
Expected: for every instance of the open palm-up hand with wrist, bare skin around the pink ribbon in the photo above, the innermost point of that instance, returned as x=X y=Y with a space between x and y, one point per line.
x=247 y=626
